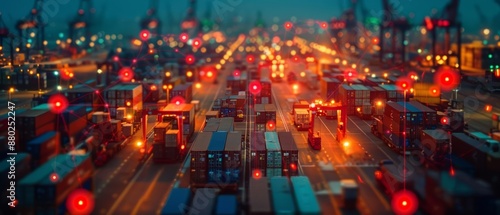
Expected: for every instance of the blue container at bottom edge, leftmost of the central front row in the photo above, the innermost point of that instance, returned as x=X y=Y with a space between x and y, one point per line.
x=178 y=202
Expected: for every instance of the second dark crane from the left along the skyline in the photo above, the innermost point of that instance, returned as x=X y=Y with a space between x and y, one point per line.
x=80 y=26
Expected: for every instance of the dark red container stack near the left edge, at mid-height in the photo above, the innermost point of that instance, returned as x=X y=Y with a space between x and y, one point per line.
x=33 y=123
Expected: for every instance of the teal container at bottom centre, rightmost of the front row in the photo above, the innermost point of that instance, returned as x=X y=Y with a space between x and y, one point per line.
x=305 y=197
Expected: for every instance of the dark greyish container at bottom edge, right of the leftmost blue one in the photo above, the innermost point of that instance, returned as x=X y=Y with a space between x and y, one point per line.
x=204 y=201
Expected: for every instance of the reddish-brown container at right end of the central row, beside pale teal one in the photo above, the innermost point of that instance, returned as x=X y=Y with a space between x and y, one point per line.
x=290 y=153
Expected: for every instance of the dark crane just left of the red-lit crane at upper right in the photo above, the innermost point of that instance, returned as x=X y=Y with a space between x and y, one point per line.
x=396 y=25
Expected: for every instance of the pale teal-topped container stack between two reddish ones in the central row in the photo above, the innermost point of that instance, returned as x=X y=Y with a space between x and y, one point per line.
x=274 y=156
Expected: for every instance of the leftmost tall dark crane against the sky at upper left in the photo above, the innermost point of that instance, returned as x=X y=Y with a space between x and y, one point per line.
x=34 y=23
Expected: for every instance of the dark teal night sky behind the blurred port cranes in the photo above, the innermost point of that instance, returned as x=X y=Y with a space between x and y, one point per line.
x=122 y=16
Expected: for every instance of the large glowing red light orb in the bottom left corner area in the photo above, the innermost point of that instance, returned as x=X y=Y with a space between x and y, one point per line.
x=80 y=201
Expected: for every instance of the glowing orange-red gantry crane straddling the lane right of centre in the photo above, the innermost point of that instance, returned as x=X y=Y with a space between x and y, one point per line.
x=314 y=138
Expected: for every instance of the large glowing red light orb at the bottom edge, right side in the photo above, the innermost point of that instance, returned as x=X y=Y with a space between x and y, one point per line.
x=404 y=202
